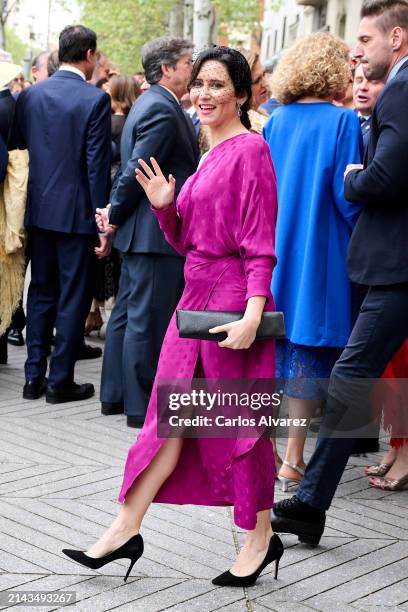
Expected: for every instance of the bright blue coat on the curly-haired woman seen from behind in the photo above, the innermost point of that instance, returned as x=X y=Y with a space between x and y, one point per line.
x=311 y=145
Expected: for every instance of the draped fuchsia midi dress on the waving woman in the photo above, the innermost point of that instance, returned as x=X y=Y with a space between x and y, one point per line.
x=224 y=224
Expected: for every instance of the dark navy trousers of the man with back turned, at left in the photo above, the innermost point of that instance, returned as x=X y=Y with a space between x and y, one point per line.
x=59 y=295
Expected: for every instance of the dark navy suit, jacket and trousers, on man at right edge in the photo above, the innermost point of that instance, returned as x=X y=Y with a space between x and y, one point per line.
x=378 y=258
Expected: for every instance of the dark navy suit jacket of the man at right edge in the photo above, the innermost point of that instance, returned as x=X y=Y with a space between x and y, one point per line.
x=378 y=252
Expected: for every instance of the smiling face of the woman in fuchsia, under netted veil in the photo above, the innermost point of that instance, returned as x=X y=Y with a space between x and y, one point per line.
x=213 y=95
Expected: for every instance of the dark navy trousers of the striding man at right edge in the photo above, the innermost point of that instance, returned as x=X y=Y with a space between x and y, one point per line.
x=379 y=331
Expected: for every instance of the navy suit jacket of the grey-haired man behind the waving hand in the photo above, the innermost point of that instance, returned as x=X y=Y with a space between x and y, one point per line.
x=155 y=127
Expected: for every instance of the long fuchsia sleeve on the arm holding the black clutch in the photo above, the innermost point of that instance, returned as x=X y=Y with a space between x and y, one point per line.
x=258 y=218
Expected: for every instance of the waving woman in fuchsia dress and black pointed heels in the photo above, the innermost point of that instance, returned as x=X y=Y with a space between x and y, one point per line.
x=224 y=224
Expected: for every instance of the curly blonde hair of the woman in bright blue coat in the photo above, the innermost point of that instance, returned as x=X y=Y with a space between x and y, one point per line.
x=315 y=66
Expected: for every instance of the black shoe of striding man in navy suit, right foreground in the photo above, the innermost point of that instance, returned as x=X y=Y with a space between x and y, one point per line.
x=294 y=516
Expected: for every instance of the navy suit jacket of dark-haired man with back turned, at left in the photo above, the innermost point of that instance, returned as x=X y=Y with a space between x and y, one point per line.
x=66 y=125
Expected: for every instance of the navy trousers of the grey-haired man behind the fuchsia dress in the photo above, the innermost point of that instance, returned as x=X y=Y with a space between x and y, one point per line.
x=149 y=289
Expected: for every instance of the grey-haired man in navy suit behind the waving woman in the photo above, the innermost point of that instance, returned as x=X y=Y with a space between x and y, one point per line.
x=152 y=272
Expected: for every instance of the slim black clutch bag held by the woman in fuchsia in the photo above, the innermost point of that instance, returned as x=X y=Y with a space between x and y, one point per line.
x=196 y=323
